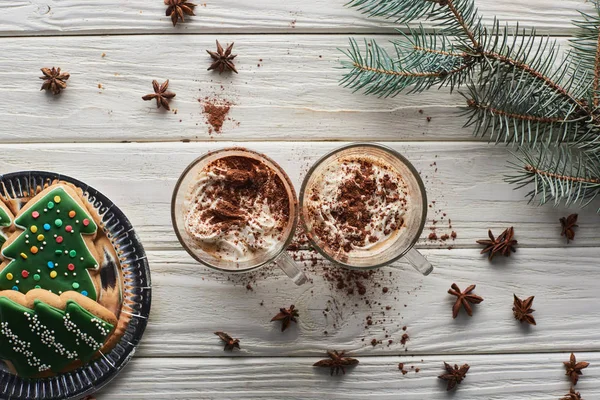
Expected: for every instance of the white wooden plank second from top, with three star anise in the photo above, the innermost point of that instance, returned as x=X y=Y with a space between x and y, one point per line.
x=294 y=95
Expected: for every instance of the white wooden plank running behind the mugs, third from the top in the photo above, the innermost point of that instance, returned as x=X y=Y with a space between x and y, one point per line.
x=470 y=190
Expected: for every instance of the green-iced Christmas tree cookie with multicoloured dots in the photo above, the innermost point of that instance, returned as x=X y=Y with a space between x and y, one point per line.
x=53 y=246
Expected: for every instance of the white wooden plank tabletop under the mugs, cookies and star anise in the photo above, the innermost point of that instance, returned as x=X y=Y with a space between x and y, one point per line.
x=292 y=109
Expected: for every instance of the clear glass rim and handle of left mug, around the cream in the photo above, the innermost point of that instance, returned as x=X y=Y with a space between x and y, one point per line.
x=180 y=205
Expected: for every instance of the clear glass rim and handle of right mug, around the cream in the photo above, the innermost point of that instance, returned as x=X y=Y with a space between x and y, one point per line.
x=414 y=218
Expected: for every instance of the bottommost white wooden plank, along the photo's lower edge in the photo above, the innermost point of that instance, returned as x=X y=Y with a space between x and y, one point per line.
x=524 y=377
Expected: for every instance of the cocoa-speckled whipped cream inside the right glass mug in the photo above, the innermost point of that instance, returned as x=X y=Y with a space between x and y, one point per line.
x=357 y=205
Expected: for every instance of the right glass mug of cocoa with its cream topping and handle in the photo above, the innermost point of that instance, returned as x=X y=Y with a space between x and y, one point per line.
x=322 y=204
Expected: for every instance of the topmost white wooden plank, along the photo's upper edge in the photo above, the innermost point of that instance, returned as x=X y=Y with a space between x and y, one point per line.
x=72 y=17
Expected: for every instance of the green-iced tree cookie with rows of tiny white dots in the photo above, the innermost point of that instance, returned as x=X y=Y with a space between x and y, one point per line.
x=42 y=334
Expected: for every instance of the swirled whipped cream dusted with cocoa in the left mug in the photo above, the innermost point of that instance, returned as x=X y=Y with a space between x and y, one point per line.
x=238 y=209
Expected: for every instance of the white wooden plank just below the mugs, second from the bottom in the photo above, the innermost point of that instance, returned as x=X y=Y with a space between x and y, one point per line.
x=192 y=302
